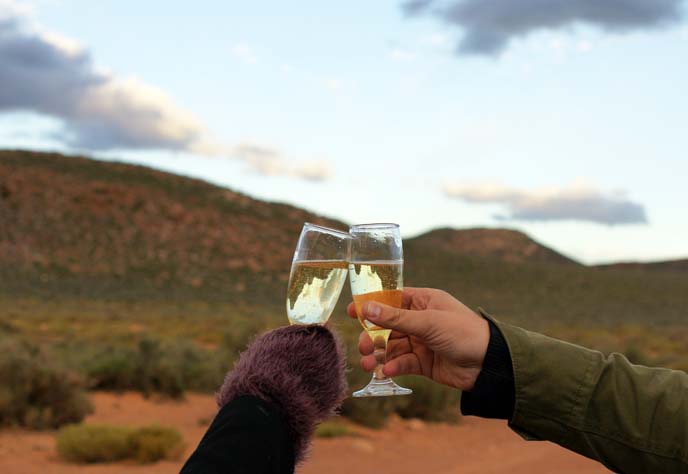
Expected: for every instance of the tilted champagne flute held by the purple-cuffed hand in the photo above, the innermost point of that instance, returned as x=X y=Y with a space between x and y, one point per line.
x=318 y=273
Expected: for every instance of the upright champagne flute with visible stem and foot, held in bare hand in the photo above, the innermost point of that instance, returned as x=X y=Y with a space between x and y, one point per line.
x=376 y=274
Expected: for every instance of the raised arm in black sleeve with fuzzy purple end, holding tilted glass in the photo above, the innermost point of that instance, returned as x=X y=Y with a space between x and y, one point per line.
x=284 y=383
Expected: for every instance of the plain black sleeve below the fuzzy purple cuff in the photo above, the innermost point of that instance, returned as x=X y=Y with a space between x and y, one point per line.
x=248 y=436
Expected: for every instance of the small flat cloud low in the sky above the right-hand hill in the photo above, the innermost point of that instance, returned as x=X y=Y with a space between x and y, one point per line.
x=577 y=202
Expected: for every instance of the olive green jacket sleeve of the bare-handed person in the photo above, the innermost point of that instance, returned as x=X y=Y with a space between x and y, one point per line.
x=633 y=419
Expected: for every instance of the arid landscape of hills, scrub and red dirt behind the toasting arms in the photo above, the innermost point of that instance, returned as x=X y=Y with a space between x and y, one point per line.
x=121 y=279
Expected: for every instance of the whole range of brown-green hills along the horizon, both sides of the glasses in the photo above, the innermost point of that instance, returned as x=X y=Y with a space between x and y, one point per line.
x=73 y=227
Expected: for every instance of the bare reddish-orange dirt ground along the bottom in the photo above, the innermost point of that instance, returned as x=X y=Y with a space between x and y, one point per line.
x=404 y=447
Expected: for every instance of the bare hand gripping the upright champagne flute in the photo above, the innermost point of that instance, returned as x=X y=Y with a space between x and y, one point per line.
x=433 y=335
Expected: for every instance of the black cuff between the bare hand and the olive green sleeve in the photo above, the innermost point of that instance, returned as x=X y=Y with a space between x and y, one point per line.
x=493 y=395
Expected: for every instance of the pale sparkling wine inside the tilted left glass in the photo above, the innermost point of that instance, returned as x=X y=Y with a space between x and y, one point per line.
x=314 y=287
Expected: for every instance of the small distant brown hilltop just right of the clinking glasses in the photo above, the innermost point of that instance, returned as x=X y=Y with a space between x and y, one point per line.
x=503 y=244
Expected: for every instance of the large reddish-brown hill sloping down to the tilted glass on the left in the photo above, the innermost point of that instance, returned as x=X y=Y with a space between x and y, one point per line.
x=76 y=225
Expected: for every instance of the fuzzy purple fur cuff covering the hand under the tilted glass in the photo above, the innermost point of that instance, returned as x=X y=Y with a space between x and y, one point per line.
x=299 y=369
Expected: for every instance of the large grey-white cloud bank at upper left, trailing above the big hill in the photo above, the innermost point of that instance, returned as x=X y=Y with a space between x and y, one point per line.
x=52 y=75
